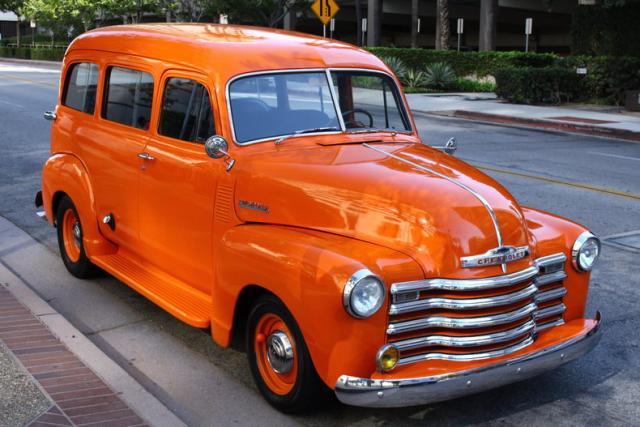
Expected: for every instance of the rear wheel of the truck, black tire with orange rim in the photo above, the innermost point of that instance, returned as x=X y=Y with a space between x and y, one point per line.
x=70 y=240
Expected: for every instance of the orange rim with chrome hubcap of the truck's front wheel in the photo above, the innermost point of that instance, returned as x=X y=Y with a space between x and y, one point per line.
x=272 y=331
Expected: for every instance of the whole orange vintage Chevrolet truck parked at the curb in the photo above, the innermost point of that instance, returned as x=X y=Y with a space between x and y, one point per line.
x=272 y=188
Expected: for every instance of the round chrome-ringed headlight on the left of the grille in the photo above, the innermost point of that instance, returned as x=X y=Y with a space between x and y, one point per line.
x=363 y=294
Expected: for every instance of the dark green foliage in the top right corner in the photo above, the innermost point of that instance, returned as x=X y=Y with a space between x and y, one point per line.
x=601 y=30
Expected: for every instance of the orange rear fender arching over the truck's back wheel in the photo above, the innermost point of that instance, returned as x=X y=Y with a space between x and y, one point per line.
x=65 y=173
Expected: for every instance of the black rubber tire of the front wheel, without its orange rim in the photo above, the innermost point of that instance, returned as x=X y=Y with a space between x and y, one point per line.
x=309 y=392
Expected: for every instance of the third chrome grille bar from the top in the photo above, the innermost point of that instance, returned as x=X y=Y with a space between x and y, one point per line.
x=461 y=322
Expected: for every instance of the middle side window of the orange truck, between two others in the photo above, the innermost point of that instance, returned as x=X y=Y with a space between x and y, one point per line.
x=128 y=97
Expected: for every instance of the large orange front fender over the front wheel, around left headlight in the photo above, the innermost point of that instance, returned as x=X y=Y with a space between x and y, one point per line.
x=307 y=270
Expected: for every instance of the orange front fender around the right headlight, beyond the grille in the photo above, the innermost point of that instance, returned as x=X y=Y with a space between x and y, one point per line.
x=555 y=234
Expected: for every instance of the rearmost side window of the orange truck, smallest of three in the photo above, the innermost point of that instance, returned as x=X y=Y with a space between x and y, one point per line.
x=81 y=87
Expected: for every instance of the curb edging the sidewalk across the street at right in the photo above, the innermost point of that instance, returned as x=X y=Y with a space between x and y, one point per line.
x=544 y=124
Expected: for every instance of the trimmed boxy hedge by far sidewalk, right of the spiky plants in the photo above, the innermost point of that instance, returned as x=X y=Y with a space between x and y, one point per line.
x=548 y=85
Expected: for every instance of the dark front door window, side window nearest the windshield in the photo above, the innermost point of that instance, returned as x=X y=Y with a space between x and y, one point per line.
x=186 y=111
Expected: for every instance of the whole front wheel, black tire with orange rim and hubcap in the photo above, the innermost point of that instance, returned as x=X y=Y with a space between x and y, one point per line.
x=279 y=359
